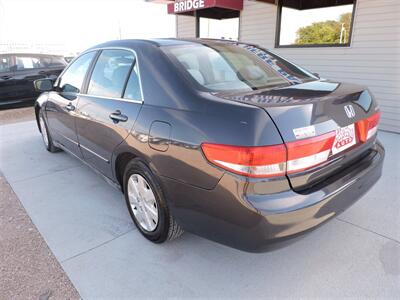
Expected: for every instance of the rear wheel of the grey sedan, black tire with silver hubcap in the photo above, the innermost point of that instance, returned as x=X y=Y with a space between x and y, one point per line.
x=165 y=228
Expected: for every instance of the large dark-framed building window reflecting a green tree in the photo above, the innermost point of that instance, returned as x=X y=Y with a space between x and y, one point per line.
x=314 y=23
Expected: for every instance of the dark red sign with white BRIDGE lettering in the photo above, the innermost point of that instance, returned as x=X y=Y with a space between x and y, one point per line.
x=182 y=6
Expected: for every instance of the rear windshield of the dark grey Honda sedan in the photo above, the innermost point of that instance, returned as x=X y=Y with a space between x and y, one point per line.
x=229 y=67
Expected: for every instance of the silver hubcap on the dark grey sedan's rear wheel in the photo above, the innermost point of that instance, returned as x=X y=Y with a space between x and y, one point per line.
x=143 y=202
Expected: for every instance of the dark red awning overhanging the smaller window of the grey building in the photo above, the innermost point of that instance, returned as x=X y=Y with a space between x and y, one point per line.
x=214 y=9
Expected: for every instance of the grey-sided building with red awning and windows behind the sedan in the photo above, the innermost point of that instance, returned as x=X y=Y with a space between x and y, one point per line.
x=368 y=52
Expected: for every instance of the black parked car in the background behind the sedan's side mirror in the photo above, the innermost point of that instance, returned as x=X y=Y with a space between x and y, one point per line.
x=18 y=71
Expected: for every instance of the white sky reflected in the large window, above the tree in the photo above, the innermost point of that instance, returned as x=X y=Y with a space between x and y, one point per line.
x=293 y=19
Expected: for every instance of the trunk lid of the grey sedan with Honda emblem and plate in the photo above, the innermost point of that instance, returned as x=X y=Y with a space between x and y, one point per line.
x=329 y=114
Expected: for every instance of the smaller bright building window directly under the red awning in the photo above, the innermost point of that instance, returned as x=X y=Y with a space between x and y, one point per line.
x=227 y=29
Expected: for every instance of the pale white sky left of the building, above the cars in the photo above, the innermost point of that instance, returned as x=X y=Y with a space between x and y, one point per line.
x=76 y=25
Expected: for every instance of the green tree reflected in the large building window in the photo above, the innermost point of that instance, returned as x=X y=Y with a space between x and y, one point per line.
x=327 y=32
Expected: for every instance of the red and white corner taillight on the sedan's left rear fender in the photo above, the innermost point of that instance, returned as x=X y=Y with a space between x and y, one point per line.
x=265 y=161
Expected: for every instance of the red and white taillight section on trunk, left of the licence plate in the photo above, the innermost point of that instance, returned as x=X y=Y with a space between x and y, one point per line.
x=308 y=153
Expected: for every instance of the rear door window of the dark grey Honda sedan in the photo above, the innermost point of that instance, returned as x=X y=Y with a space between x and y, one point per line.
x=110 y=73
